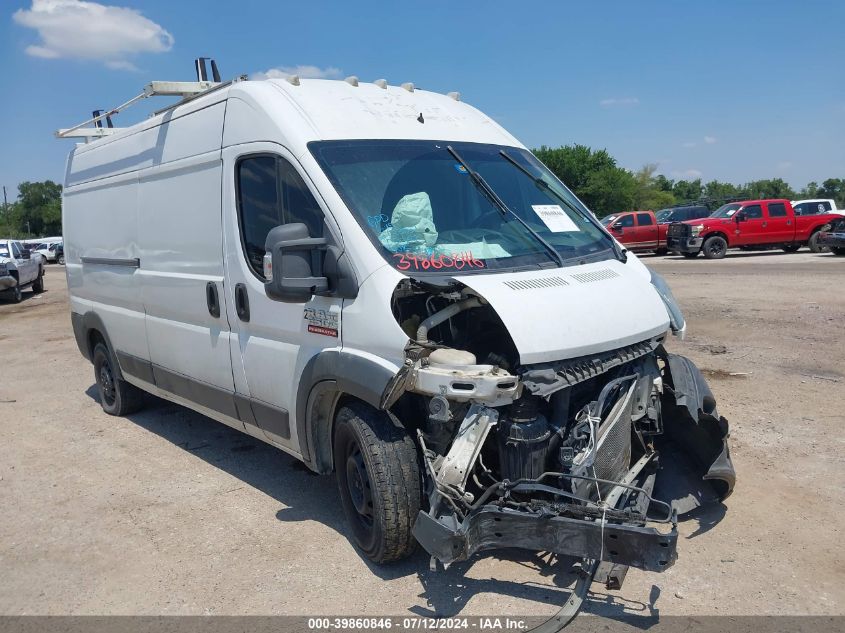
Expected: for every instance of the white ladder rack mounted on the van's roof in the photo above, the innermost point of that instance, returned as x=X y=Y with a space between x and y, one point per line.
x=187 y=90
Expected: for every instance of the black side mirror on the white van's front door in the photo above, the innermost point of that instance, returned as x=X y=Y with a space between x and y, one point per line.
x=293 y=265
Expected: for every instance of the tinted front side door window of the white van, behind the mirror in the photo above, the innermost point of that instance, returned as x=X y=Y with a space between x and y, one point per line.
x=271 y=192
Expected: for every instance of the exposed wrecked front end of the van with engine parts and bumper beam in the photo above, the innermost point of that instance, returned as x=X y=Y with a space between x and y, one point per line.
x=566 y=457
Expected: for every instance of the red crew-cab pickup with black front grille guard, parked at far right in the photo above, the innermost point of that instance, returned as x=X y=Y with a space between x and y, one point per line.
x=752 y=223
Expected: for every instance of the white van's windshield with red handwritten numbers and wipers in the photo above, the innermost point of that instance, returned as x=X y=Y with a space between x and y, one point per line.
x=425 y=213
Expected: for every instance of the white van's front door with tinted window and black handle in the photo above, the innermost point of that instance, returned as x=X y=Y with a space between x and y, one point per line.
x=272 y=341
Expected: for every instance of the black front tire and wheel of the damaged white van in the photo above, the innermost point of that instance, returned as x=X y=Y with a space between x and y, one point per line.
x=378 y=477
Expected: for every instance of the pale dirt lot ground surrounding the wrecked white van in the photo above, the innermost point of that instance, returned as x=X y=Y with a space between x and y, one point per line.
x=168 y=512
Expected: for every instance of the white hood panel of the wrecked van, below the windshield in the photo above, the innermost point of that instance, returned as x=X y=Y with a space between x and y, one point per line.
x=565 y=313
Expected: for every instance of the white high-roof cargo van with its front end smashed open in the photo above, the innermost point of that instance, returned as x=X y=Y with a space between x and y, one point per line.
x=384 y=283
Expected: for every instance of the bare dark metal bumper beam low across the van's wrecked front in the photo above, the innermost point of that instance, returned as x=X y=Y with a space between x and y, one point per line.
x=493 y=527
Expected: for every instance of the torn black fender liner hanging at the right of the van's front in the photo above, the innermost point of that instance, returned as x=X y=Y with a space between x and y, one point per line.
x=694 y=454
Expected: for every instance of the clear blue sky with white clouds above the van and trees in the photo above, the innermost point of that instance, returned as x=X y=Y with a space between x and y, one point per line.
x=729 y=90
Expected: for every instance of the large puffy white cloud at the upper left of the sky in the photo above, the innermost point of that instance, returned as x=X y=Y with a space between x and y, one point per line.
x=76 y=29
